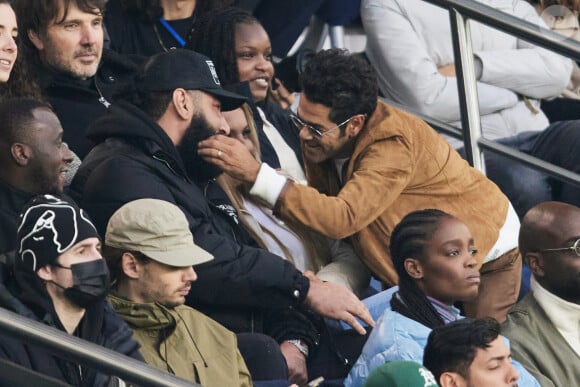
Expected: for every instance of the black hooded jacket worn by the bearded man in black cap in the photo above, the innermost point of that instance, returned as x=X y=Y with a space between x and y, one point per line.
x=136 y=159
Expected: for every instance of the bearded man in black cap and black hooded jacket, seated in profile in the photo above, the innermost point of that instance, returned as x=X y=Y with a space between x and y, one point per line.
x=150 y=151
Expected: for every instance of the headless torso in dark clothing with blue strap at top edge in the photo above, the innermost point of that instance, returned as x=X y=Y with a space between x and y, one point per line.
x=146 y=27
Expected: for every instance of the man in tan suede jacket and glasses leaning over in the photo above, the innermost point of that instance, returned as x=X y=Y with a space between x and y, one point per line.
x=368 y=165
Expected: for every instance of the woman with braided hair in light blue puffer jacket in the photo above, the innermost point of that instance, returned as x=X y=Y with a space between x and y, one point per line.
x=434 y=256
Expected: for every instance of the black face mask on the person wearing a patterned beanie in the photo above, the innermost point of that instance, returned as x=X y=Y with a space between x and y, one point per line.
x=90 y=282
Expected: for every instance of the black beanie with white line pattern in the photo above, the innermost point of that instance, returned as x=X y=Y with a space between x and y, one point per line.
x=49 y=226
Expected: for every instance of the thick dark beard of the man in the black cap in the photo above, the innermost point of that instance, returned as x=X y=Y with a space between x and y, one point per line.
x=199 y=170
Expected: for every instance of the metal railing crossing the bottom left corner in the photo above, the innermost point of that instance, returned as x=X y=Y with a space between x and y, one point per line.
x=80 y=351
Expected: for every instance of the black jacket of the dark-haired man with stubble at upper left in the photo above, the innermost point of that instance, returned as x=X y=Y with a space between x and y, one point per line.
x=78 y=103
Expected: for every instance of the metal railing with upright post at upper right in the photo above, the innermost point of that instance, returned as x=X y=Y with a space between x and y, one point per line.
x=460 y=12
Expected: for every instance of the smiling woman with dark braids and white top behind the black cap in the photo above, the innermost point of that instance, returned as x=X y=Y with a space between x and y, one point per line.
x=242 y=54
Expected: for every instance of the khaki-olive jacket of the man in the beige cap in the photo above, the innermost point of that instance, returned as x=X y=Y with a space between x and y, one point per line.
x=186 y=343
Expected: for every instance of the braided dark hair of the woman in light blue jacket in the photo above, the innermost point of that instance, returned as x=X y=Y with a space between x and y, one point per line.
x=409 y=239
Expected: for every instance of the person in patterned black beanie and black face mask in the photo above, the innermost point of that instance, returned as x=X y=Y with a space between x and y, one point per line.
x=60 y=278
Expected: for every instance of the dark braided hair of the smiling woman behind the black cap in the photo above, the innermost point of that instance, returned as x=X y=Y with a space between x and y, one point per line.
x=214 y=35
